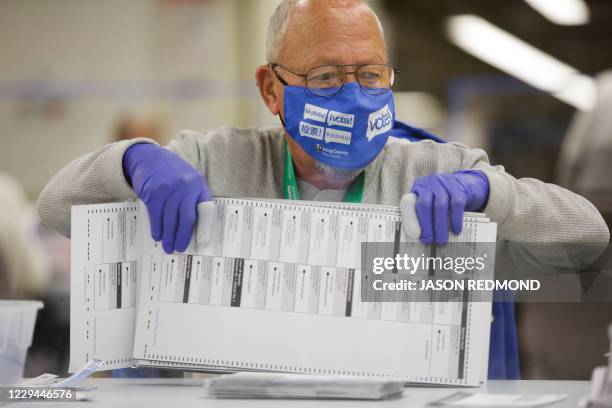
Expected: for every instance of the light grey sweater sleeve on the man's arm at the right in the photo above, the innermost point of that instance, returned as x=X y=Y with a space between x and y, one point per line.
x=529 y=210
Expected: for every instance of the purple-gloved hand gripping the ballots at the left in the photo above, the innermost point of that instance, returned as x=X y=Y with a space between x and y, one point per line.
x=170 y=188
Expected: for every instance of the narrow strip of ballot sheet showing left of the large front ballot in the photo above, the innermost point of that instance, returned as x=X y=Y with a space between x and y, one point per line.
x=105 y=252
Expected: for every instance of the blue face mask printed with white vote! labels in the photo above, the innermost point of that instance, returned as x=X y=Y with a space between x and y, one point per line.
x=346 y=130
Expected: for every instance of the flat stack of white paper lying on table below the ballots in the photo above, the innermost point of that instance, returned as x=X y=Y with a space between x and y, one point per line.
x=275 y=385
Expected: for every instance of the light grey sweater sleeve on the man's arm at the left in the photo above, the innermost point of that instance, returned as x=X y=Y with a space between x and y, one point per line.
x=94 y=178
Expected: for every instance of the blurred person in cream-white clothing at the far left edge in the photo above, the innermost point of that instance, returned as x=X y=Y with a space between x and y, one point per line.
x=24 y=265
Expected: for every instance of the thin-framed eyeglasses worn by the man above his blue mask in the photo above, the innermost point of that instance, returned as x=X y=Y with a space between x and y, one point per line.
x=326 y=80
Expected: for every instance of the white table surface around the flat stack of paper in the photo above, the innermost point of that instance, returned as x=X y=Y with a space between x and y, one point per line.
x=185 y=393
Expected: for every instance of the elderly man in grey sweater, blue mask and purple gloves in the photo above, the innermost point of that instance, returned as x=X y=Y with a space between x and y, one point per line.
x=329 y=80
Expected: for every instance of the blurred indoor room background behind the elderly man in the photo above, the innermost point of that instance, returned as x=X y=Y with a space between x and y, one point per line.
x=520 y=79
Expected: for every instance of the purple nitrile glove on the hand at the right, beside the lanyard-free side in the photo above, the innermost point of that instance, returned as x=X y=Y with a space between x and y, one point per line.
x=443 y=196
